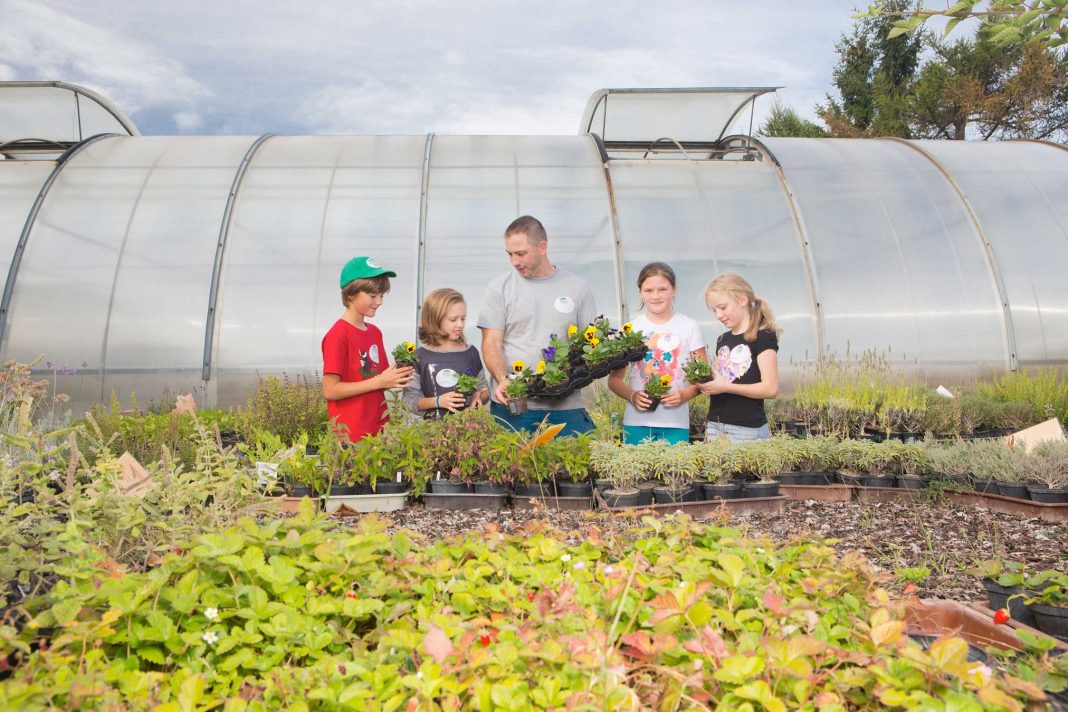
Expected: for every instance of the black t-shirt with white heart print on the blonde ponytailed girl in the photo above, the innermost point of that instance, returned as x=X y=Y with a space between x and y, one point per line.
x=735 y=361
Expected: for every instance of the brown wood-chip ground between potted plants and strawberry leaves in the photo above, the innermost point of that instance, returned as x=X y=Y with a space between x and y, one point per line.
x=944 y=539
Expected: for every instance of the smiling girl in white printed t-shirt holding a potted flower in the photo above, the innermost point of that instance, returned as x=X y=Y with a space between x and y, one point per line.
x=672 y=340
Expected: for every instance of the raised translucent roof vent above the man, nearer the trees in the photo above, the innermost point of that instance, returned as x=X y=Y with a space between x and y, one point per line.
x=686 y=122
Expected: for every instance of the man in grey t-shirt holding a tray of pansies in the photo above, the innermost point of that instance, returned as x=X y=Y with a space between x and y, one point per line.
x=520 y=313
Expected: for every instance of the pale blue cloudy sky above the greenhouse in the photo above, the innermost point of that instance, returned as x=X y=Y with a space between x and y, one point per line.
x=470 y=67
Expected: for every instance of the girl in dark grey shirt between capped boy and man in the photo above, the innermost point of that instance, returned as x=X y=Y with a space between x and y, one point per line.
x=444 y=357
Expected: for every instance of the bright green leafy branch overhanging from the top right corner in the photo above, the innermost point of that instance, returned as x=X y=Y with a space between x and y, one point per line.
x=1002 y=22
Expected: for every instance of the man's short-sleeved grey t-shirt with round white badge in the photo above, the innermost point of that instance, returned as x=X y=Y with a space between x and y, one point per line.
x=529 y=311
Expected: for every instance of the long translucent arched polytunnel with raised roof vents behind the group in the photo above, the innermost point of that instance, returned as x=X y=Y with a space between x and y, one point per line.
x=196 y=264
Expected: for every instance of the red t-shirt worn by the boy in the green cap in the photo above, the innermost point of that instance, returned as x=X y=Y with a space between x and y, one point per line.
x=356 y=355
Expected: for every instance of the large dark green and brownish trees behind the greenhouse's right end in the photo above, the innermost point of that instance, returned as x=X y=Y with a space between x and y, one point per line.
x=919 y=86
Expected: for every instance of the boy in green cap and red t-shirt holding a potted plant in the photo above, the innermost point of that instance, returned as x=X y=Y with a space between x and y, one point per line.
x=355 y=371
